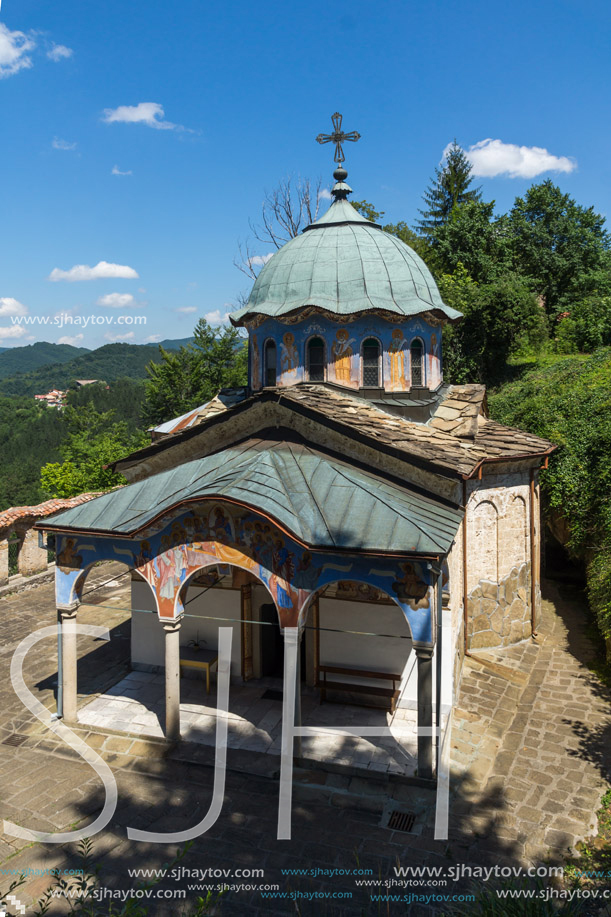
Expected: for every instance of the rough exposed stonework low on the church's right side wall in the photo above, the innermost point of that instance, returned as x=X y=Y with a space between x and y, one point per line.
x=499 y=613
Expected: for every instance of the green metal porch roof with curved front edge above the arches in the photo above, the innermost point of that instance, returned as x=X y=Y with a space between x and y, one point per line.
x=323 y=501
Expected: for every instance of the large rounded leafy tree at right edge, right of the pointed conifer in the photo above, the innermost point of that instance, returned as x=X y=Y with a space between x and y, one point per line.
x=557 y=243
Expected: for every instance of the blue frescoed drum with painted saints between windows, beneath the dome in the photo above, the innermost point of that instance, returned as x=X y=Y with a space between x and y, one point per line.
x=343 y=348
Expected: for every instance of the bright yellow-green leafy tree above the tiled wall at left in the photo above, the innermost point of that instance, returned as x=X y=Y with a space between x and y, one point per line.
x=94 y=442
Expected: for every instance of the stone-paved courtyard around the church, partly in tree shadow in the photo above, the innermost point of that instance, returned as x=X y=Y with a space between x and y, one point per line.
x=531 y=752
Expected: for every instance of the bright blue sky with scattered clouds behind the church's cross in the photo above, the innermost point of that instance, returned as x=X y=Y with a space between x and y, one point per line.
x=205 y=105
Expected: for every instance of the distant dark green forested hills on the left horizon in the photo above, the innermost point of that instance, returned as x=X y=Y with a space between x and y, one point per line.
x=109 y=363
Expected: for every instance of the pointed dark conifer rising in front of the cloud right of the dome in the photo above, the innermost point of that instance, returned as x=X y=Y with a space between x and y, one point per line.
x=447 y=191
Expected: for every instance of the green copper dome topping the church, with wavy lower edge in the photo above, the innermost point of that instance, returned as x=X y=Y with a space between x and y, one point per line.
x=345 y=264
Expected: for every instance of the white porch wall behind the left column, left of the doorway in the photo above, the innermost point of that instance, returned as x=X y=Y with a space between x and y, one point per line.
x=148 y=634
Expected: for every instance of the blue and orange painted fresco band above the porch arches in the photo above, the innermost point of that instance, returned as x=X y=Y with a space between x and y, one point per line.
x=175 y=548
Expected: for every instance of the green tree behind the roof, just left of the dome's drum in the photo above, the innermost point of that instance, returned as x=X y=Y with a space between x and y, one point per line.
x=194 y=374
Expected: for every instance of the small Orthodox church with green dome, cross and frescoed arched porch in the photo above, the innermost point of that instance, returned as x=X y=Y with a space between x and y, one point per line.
x=347 y=494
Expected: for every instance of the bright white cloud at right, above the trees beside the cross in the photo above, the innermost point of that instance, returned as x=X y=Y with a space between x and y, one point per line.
x=493 y=157
